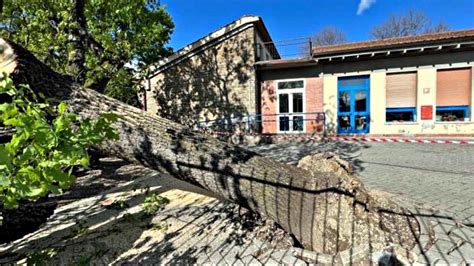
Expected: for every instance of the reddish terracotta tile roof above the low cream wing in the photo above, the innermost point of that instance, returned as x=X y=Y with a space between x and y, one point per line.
x=394 y=42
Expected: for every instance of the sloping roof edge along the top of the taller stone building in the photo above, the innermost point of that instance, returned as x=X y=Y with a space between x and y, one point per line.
x=213 y=37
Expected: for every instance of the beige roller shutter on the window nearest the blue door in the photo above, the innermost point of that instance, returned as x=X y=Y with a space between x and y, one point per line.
x=401 y=90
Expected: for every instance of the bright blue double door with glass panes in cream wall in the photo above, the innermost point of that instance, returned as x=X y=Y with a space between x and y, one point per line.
x=353 y=105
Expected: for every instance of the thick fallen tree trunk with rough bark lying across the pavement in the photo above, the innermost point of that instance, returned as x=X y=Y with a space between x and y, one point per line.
x=320 y=203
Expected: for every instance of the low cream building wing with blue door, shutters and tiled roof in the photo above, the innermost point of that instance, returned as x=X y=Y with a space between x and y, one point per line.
x=415 y=86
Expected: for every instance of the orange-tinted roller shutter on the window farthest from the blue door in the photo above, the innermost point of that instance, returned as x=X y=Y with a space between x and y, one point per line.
x=453 y=87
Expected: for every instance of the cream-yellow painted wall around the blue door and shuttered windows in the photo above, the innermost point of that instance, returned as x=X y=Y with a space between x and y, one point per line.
x=426 y=95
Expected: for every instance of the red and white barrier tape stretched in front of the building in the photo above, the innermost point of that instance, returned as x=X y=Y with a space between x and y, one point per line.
x=344 y=138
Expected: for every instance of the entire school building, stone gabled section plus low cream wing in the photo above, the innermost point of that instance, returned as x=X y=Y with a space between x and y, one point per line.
x=417 y=85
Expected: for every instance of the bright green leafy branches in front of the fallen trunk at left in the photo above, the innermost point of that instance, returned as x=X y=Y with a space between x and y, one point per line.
x=48 y=143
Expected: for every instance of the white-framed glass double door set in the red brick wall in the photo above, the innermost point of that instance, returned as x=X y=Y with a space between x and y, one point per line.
x=290 y=112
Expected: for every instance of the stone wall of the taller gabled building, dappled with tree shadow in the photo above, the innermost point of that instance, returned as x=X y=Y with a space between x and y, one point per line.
x=212 y=85
